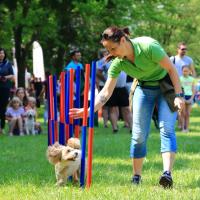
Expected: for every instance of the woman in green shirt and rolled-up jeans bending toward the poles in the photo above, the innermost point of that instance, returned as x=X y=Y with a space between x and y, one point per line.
x=144 y=59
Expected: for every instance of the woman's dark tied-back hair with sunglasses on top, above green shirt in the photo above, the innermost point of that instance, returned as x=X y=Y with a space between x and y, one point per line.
x=114 y=33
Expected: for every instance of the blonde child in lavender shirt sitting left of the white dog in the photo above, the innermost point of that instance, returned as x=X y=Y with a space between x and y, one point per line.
x=14 y=115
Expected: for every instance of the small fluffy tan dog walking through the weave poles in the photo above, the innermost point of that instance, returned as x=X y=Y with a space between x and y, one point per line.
x=66 y=159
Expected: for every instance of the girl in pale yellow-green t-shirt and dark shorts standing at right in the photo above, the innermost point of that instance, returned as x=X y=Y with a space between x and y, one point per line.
x=188 y=84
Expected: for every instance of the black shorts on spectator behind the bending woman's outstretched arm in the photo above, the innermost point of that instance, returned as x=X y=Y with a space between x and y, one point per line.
x=119 y=98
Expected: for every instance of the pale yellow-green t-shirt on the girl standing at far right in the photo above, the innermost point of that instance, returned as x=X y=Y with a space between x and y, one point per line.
x=187 y=83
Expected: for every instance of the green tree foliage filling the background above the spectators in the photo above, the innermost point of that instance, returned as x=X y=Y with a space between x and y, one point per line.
x=60 y=25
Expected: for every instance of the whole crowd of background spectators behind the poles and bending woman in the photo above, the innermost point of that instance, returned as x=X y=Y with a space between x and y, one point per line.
x=17 y=102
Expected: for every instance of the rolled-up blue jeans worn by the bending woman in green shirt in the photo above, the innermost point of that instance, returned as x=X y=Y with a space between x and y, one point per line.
x=144 y=100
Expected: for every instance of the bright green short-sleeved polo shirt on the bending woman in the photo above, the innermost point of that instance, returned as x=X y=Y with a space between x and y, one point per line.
x=148 y=53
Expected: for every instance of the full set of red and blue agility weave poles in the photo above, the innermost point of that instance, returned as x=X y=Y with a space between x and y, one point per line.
x=66 y=102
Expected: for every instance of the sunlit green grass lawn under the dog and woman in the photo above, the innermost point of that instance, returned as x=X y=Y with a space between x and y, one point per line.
x=26 y=174
